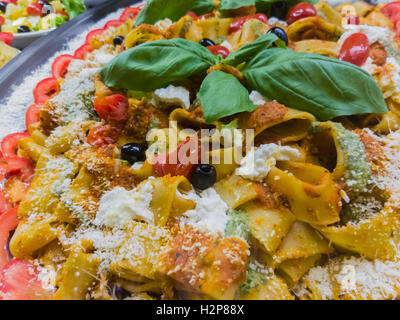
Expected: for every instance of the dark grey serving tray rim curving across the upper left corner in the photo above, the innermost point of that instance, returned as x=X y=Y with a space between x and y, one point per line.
x=40 y=51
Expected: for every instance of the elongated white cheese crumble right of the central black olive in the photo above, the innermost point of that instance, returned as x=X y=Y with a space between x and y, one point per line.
x=258 y=163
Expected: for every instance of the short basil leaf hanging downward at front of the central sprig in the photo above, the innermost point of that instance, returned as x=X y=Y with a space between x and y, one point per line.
x=222 y=95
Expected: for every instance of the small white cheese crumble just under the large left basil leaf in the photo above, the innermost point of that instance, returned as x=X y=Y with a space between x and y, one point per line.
x=172 y=96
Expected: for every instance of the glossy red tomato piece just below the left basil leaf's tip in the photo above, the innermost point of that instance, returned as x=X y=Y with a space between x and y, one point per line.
x=112 y=108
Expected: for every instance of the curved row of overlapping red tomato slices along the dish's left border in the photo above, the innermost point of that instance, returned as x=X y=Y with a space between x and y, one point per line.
x=19 y=279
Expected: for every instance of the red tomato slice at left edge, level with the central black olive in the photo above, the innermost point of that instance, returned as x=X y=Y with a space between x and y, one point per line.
x=17 y=166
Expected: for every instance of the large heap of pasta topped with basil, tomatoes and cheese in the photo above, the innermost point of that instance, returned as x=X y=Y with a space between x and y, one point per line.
x=258 y=164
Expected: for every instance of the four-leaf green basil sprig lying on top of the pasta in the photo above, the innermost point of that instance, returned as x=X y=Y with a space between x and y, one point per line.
x=323 y=86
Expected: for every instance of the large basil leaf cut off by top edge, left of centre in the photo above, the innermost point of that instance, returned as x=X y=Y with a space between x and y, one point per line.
x=157 y=10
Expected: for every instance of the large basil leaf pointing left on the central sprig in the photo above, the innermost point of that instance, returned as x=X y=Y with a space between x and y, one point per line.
x=157 y=64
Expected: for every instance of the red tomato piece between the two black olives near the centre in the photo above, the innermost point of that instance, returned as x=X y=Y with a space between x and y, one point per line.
x=173 y=163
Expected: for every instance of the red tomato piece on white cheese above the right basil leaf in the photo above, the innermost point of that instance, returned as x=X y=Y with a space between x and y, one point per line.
x=355 y=49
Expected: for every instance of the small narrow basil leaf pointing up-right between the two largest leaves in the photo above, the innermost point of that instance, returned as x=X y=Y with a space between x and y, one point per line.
x=249 y=50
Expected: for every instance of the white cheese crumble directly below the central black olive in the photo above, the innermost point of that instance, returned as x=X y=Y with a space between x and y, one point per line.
x=209 y=216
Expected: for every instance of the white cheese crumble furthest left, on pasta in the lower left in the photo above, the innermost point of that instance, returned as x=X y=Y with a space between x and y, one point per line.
x=119 y=206
